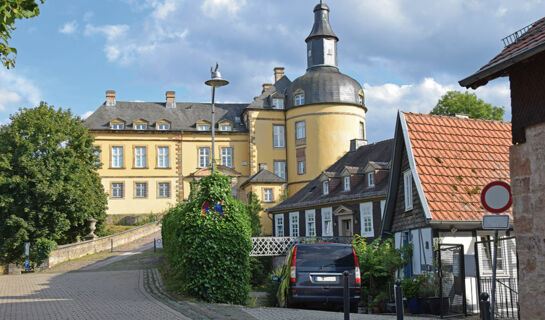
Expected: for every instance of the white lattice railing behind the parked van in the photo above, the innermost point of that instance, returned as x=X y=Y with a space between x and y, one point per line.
x=280 y=246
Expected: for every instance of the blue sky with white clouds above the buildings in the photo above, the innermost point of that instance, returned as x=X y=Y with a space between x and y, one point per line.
x=406 y=54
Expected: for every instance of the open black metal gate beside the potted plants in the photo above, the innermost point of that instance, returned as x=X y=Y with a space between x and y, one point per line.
x=451 y=272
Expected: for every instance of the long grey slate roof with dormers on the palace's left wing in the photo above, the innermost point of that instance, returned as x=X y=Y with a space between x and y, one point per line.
x=183 y=117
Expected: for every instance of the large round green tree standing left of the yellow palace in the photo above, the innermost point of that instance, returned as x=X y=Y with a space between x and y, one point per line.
x=49 y=187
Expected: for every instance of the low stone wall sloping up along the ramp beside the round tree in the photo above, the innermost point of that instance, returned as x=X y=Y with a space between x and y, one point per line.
x=80 y=249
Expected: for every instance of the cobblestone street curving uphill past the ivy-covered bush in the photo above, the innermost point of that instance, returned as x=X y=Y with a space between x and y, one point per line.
x=123 y=285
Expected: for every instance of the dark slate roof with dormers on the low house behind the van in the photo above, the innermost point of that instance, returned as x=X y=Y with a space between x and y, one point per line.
x=311 y=194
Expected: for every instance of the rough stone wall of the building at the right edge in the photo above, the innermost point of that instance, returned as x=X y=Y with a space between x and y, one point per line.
x=528 y=190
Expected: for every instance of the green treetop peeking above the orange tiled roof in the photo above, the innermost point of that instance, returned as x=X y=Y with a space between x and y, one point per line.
x=454 y=102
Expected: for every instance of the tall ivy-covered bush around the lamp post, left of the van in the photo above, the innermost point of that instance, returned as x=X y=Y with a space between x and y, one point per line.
x=210 y=253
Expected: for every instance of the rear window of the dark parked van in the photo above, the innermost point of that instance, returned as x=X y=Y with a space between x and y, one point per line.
x=325 y=256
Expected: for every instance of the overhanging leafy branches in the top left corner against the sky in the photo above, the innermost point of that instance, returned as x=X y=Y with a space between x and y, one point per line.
x=10 y=11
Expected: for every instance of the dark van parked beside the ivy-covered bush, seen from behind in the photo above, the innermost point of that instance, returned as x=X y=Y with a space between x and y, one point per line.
x=313 y=275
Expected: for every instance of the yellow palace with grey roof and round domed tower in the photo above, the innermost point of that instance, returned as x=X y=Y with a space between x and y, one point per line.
x=273 y=146
